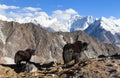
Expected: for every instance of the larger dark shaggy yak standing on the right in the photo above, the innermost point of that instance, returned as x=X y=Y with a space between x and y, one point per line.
x=73 y=51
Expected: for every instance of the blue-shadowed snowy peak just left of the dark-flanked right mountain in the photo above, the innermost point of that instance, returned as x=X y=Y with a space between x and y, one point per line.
x=80 y=23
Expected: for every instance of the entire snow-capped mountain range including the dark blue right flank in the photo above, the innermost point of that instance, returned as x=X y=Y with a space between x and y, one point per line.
x=104 y=29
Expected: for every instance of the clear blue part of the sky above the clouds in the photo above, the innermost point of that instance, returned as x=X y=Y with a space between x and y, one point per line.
x=95 y=8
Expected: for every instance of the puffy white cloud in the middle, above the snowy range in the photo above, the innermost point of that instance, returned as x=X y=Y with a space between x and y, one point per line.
x=64 y=15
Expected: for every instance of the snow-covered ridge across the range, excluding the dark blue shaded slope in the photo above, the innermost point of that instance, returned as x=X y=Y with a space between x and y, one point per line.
x=75 y=22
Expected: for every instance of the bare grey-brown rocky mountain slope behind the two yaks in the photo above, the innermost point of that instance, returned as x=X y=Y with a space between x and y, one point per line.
x=48 y=45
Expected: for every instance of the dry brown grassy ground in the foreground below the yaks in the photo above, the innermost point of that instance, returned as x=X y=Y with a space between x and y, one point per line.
x=93 y=68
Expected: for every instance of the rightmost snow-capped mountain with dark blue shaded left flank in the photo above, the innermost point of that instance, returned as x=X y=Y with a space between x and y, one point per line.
x=105 y=30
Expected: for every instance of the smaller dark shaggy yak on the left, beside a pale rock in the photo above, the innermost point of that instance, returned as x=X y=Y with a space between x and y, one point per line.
x=23 y=56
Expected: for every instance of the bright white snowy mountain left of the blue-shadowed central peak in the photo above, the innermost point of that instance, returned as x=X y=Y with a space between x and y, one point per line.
x=52 y=24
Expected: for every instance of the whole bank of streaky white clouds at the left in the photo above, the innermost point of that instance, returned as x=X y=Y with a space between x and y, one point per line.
x=15 y=12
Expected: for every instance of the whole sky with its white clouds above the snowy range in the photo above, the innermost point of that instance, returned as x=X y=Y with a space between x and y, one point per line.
x=60 y=8
